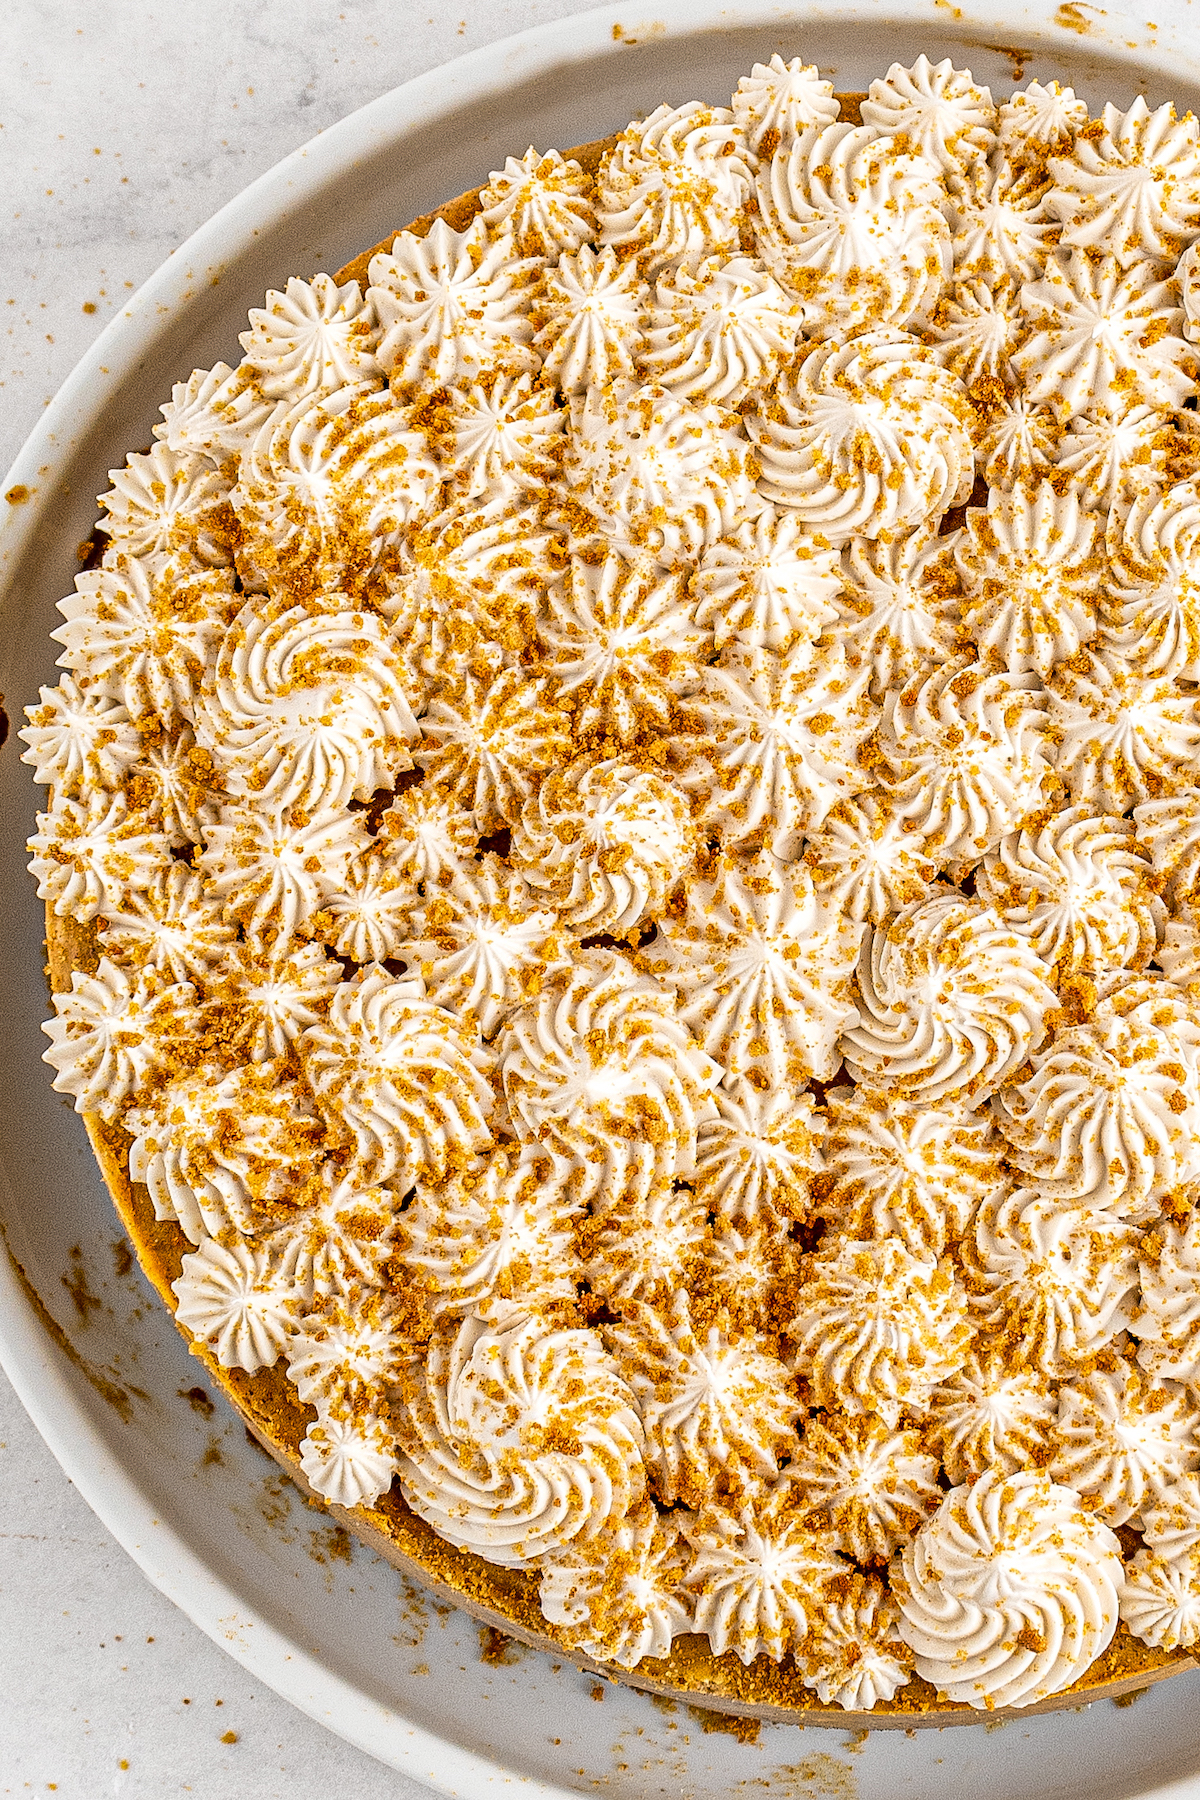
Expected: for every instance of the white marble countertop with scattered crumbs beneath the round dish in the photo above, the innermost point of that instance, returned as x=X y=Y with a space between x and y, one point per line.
x=121 y=130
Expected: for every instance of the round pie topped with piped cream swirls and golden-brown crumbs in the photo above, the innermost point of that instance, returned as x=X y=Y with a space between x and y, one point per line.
x=623 y=894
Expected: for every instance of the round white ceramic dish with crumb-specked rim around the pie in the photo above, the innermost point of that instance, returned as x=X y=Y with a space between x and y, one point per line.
x=204 y=1516
